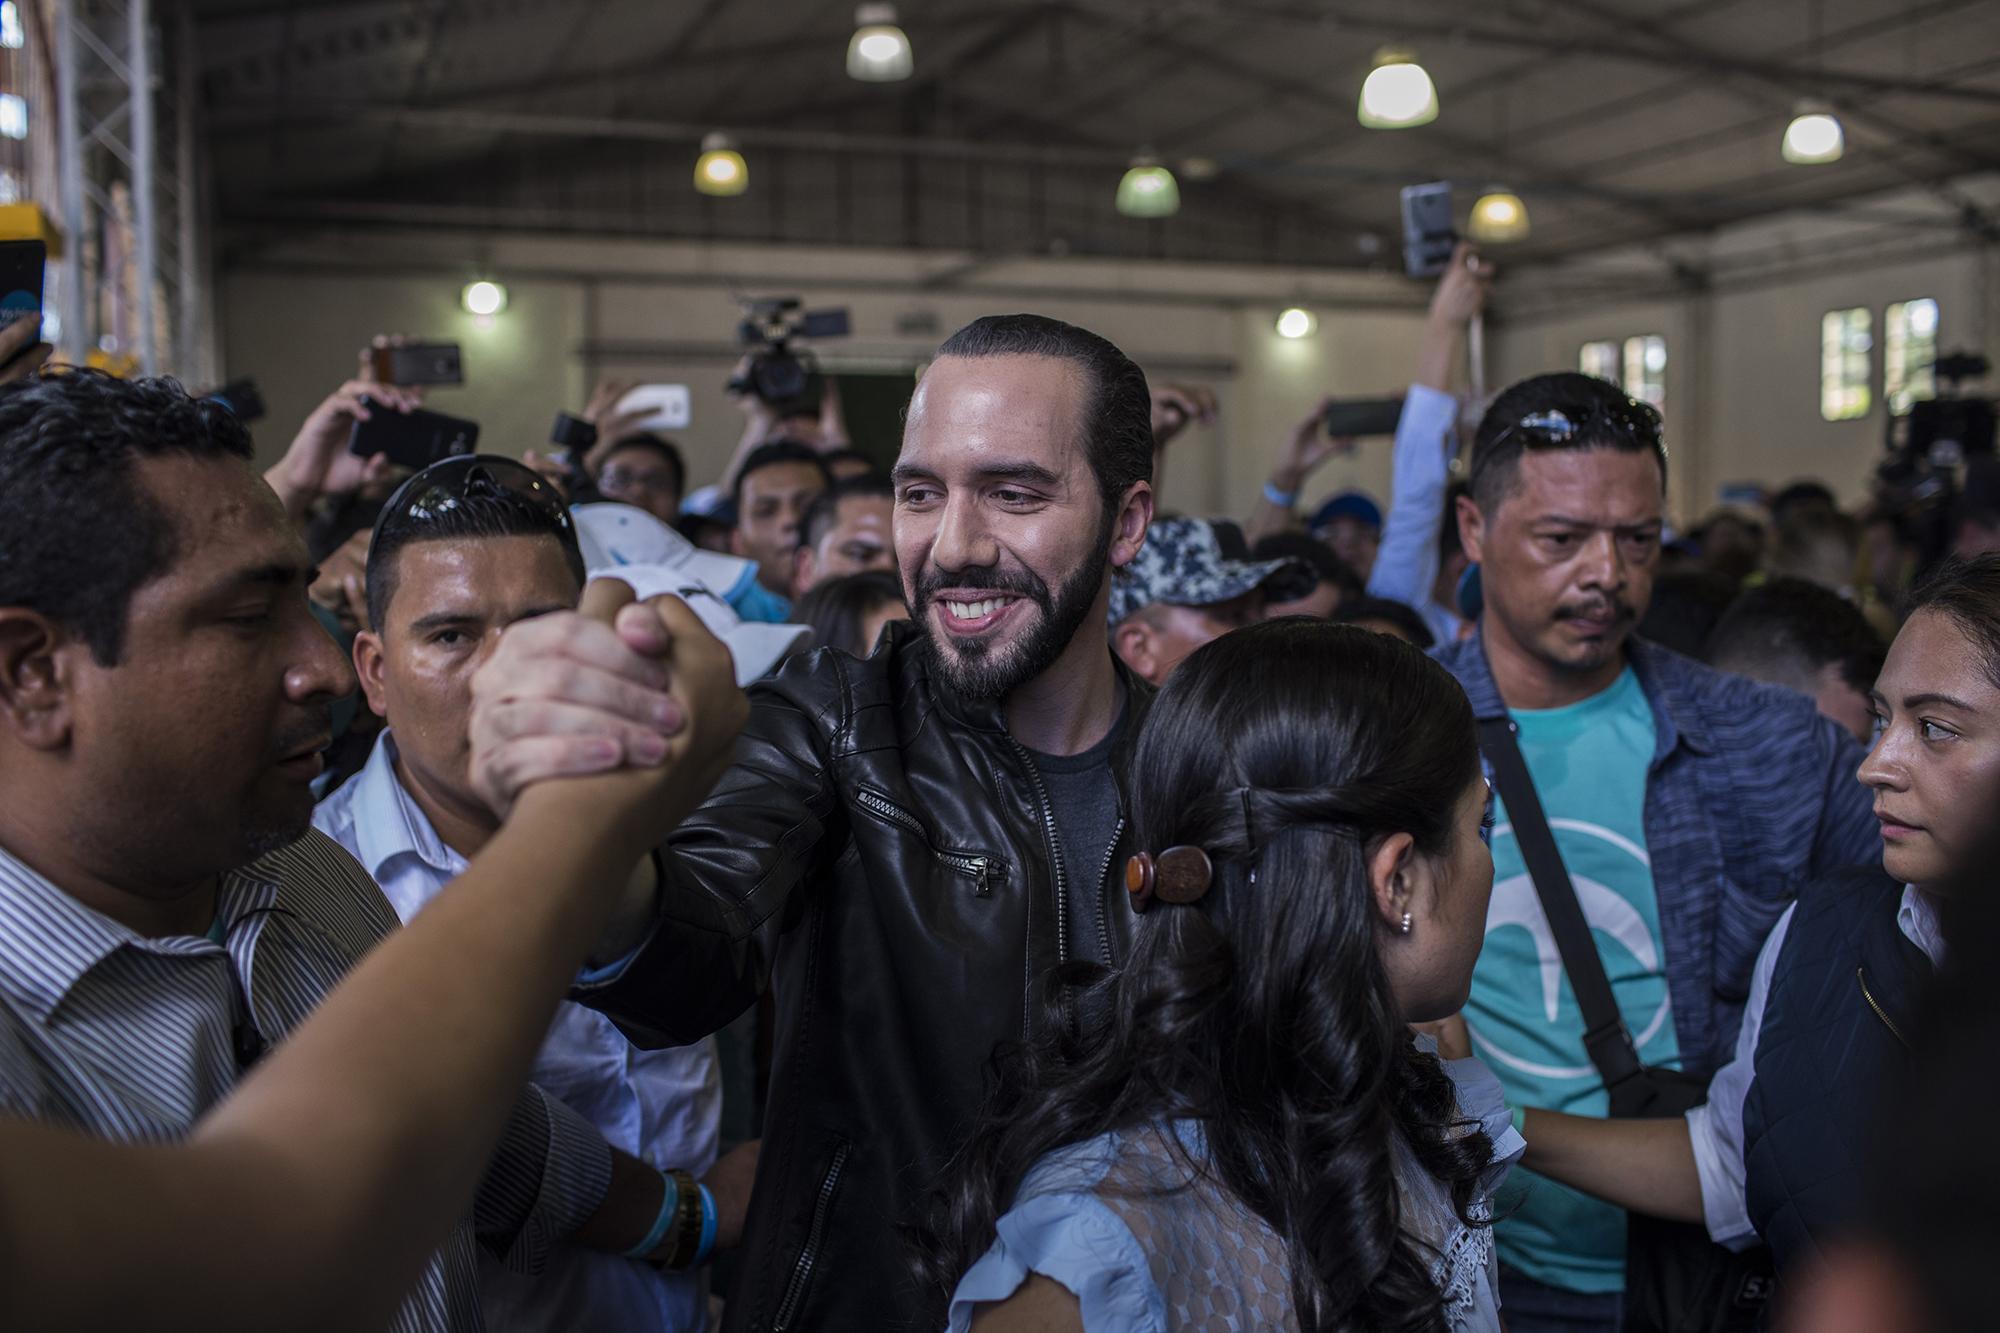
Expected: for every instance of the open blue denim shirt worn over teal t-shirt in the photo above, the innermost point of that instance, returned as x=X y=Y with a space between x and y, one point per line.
x=1749 y=798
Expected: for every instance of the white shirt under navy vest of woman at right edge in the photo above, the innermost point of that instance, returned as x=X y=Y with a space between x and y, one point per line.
x=1717 y=1126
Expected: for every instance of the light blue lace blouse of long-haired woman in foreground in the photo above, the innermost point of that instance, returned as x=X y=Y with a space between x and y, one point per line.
x=1149 y=1248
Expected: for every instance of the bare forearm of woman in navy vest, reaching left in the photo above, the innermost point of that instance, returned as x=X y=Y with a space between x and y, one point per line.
x=1641 y=1166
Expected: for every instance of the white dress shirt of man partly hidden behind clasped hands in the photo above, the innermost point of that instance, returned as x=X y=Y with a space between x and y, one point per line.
x=659 y=1106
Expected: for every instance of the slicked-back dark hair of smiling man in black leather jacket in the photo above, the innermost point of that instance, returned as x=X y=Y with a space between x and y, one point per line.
x=1119 y=415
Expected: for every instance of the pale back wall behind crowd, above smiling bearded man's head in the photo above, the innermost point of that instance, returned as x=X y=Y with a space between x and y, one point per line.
x=297 y=311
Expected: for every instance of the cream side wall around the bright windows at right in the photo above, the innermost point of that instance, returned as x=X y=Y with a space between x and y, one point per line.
x=1745 y=355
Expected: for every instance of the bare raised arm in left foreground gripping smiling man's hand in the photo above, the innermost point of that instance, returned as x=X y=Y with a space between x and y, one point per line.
x=313 y=1196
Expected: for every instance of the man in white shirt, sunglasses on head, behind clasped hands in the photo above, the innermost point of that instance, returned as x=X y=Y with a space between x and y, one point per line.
x=463 y=551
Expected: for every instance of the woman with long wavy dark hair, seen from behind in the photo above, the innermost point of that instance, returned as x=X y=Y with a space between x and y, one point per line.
x=1251 y=1138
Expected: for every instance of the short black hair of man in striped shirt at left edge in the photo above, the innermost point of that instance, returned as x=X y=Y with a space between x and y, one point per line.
x=79 y=529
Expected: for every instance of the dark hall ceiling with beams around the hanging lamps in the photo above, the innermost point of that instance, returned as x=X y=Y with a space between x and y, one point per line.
x=1621 y=123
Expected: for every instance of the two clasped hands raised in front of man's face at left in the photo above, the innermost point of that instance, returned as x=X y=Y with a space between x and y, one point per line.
x=635 y=702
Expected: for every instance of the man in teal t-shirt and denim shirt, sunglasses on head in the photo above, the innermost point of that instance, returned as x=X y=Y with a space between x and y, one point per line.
x=1687 y=806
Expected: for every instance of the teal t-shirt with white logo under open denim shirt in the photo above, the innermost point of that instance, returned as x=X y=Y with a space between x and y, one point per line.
x=1589 y=766
